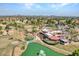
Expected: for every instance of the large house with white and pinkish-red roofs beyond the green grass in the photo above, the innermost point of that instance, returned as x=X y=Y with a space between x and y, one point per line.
x=52 y=35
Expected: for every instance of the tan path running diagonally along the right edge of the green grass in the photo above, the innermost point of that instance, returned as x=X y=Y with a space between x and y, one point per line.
x=38 y=40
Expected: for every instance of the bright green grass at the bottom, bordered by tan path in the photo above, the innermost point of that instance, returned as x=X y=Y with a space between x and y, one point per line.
x=34 y=48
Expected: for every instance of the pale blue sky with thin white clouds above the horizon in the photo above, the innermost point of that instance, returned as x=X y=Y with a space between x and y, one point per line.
x=56 y=9
